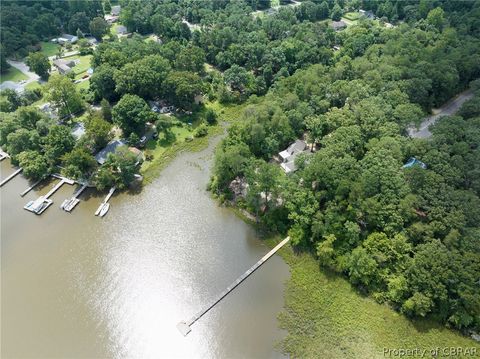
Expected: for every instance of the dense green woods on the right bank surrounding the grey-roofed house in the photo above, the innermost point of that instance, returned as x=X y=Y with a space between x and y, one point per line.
x=406 y=236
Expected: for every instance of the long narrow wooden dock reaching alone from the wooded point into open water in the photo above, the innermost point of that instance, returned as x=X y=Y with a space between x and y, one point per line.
x=184 y=326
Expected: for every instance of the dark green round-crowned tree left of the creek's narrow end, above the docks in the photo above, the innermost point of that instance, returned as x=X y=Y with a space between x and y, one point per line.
x=131 y=114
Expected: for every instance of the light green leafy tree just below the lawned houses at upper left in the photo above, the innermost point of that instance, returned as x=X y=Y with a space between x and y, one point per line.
x=61 y=92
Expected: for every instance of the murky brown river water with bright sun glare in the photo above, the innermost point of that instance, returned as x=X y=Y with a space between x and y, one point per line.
x=78 y=286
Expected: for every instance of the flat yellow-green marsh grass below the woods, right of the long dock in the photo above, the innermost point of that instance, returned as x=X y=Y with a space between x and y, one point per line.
x=326 y=318
